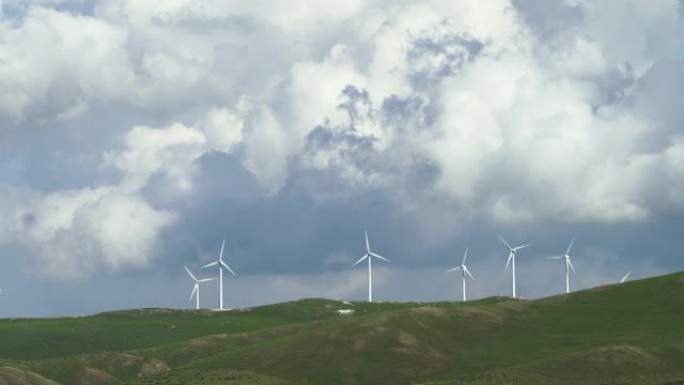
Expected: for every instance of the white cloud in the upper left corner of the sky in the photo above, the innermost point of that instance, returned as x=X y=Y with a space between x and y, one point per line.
x=53 y=62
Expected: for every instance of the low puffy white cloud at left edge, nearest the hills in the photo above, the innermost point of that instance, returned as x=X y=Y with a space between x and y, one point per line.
x=75 y=232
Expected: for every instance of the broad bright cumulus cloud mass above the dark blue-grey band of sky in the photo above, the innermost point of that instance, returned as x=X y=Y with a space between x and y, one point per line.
x=487 y=109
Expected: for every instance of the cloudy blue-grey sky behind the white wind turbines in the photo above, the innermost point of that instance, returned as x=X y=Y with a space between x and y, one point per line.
x=136 y=136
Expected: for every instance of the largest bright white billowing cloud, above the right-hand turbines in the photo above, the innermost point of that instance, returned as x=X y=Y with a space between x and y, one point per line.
x=517 y=132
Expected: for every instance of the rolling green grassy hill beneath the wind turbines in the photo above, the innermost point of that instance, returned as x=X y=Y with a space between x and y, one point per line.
x=630 y=333
